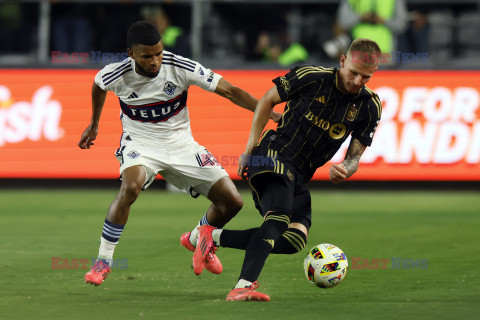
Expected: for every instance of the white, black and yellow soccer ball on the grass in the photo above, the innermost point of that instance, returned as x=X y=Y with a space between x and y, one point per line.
x=325 y=265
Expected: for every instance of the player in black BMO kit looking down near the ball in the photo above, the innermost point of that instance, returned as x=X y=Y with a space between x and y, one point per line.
x=324 y=106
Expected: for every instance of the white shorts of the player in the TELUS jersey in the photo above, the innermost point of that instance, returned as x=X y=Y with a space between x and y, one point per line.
x=190 y=168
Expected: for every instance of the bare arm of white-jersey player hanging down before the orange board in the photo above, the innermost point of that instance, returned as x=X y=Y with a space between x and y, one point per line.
x=90 y=133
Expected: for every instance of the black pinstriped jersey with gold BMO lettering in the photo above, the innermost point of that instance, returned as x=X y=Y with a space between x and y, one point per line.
x=318 y=117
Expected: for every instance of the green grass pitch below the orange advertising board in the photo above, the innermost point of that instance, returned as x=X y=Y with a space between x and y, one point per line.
x=159 y=283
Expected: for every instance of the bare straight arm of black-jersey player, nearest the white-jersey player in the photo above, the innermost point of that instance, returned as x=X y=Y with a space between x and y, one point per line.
x=260 y=120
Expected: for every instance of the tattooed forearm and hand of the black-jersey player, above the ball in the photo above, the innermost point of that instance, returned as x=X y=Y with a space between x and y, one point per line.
x=344 y=170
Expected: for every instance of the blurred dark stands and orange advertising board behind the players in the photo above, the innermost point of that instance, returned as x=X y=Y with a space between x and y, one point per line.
x=429 y=84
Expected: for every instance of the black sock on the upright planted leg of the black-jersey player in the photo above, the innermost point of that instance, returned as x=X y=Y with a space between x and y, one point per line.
x=260 y=245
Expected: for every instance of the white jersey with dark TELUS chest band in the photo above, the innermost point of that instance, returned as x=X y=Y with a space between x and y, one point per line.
x=155 y=109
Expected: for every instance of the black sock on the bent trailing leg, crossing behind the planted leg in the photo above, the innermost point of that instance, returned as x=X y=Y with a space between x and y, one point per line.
x=291 y=241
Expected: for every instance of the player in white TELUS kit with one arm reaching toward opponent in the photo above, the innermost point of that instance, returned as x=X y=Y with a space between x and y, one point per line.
x=152 y=88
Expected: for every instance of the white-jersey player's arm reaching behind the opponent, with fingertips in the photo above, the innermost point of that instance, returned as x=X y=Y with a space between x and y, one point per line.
x=241 y=98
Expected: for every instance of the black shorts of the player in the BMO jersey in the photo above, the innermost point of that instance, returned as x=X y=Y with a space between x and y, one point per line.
x=275 y=186
